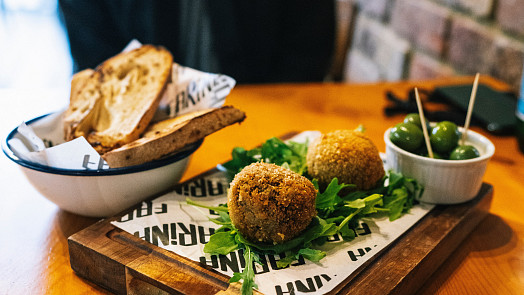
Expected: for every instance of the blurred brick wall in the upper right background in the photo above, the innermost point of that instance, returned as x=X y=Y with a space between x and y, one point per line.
x=389 y=40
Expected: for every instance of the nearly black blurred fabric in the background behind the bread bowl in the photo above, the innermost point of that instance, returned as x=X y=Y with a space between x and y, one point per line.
x=251 y=41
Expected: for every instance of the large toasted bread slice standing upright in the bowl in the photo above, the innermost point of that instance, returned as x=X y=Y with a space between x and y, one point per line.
x=124 y=93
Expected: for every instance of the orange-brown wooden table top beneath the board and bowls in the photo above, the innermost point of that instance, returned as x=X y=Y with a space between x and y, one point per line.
x=34 y=257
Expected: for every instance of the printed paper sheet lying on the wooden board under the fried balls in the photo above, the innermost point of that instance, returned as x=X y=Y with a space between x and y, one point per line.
x=170 y=223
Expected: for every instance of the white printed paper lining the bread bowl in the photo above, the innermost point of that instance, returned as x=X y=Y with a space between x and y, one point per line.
x=190 y=90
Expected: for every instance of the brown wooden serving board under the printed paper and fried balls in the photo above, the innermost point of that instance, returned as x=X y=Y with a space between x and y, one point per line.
x=124 y=264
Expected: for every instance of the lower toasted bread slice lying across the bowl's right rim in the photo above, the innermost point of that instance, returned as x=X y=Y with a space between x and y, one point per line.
x=168 y=136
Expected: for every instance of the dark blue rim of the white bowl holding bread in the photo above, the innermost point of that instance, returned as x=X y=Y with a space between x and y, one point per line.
x=171 y=158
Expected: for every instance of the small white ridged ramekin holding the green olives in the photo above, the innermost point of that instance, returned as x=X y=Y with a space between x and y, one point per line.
x=445 y=181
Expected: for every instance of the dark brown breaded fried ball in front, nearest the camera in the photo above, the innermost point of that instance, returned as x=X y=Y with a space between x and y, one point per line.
x=270 y=204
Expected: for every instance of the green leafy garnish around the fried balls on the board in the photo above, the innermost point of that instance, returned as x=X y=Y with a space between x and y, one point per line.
x=340 y=208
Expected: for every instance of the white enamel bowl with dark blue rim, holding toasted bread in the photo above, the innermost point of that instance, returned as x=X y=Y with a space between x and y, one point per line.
x=102 y=193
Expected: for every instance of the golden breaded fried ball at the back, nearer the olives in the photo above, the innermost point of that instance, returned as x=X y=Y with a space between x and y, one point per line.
x=348 y=155
